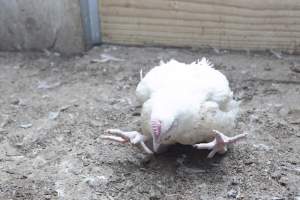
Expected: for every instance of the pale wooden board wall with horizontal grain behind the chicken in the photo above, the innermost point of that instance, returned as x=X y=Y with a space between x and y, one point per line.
x=230 y=24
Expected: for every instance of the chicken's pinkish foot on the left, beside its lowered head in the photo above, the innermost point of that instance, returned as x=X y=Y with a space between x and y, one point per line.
x=133 y=137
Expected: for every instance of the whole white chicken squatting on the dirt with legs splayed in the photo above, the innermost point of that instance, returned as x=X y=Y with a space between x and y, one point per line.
x=186 y=104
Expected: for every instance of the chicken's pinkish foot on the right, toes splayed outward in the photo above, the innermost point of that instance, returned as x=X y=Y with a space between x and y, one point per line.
x=219 y=143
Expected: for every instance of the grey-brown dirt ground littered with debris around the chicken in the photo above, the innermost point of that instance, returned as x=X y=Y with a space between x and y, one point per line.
x=53 y=109
